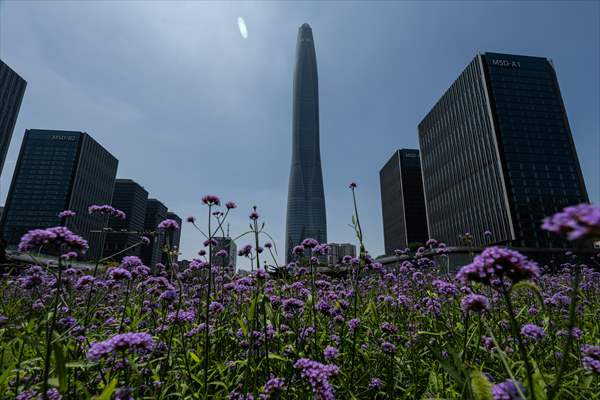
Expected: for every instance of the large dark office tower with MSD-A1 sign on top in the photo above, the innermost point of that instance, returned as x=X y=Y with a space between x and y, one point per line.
x=497 y=153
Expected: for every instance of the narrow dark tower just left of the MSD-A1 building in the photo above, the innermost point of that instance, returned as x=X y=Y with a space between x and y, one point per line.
x=402 y=202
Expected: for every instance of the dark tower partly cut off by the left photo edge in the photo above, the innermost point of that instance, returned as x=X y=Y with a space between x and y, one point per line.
x=12 y=89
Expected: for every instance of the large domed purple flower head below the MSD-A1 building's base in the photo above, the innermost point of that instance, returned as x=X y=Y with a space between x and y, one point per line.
x=497 y=263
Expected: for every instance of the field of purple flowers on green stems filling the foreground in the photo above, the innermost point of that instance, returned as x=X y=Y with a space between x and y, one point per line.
x=500 y=328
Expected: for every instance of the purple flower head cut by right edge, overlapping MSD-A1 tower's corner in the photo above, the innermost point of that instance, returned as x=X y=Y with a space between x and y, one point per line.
x=576 y=222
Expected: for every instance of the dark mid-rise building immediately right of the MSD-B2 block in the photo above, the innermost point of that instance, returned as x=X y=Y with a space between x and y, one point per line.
x=129 y=197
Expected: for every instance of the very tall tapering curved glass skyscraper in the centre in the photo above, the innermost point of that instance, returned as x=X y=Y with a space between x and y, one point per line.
x=306 y=201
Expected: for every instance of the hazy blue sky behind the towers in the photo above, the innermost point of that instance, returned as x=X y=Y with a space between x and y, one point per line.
x=189 y=107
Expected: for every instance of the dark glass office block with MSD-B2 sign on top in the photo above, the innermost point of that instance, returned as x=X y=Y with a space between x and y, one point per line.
x=55 y=171
